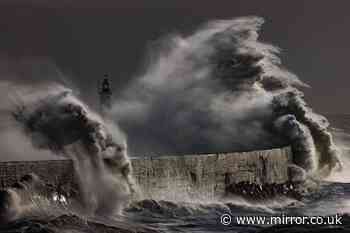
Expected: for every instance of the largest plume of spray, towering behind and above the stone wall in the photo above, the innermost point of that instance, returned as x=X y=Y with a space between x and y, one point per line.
x=221 y=89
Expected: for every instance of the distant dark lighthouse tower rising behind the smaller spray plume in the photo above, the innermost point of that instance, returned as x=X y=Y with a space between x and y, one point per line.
x=105 y=93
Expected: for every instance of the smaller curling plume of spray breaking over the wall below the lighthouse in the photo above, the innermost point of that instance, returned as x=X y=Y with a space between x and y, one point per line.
x=61 y=123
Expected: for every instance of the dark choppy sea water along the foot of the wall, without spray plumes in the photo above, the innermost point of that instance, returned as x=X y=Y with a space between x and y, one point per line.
x=331 y=198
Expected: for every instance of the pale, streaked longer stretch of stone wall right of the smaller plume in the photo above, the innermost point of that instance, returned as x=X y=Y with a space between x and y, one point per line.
x=206 y=176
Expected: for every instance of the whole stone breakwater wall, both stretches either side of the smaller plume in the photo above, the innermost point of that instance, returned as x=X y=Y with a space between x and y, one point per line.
x=203 y=176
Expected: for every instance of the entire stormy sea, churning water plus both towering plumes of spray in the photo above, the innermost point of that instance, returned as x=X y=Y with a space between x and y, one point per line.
x=217 y=89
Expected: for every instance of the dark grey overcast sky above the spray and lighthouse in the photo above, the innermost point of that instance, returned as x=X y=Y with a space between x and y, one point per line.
x=88 y=38
